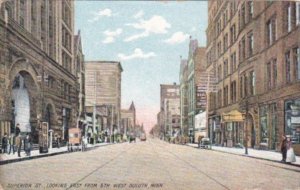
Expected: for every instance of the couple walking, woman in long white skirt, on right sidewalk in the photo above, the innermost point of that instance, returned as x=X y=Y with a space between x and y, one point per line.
x=287 y=150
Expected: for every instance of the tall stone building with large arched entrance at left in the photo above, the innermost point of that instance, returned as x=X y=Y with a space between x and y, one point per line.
x=37 y=70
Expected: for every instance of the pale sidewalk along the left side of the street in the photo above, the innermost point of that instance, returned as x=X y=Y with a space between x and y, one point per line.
x=10 y=158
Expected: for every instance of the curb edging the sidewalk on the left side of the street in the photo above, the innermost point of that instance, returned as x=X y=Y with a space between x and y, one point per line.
x=3 y=162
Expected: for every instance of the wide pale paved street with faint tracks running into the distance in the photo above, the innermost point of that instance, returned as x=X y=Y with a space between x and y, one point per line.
x=148 y=165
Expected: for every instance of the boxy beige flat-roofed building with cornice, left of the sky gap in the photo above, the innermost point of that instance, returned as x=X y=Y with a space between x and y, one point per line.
x=103 y=95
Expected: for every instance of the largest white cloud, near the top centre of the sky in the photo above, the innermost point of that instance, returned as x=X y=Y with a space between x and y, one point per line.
x=155 y=25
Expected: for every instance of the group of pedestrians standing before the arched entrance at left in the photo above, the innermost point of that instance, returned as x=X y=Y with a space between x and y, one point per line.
x=13 y=143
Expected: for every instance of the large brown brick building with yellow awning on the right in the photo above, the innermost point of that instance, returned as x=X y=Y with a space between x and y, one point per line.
x=254 y=48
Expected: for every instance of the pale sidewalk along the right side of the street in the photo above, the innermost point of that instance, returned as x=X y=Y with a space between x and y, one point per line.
x=253 y=153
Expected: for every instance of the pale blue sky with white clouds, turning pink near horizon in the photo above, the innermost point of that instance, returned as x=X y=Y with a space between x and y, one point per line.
x=147 y=37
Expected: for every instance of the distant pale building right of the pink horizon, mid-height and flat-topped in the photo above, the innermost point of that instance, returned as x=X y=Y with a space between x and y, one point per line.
x=170 y=109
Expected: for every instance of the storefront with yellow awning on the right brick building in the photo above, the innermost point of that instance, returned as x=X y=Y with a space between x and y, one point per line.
x=233 y=133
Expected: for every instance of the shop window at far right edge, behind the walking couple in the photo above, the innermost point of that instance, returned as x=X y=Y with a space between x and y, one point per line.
x=292 y=120
